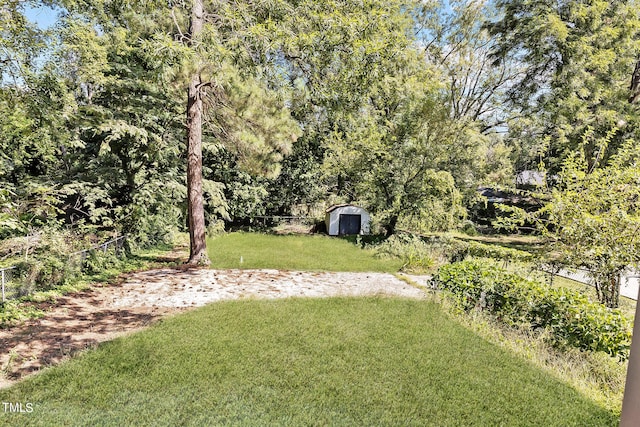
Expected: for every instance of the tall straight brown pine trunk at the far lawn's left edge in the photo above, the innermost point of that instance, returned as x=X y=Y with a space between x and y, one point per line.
x=195 y=199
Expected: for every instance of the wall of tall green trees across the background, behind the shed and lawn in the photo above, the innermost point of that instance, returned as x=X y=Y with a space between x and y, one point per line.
x=146 y=116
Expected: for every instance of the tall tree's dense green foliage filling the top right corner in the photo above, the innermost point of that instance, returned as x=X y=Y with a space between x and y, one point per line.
x=578 y=58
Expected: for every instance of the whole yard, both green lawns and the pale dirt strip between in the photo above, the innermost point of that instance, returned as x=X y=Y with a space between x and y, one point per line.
x=345 y=360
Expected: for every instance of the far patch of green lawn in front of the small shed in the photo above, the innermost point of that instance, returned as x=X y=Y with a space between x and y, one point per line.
x=291 y=252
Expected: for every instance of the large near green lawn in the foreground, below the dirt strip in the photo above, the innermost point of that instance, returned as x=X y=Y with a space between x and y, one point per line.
x=341 y=361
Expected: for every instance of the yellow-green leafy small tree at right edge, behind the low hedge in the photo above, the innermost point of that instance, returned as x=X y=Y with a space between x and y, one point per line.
x=592 y=218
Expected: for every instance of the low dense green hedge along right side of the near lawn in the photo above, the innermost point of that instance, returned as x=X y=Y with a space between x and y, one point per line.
x=570 y=316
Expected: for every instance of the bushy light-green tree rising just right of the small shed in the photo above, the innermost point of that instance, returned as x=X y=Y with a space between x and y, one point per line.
x=395 y=155
